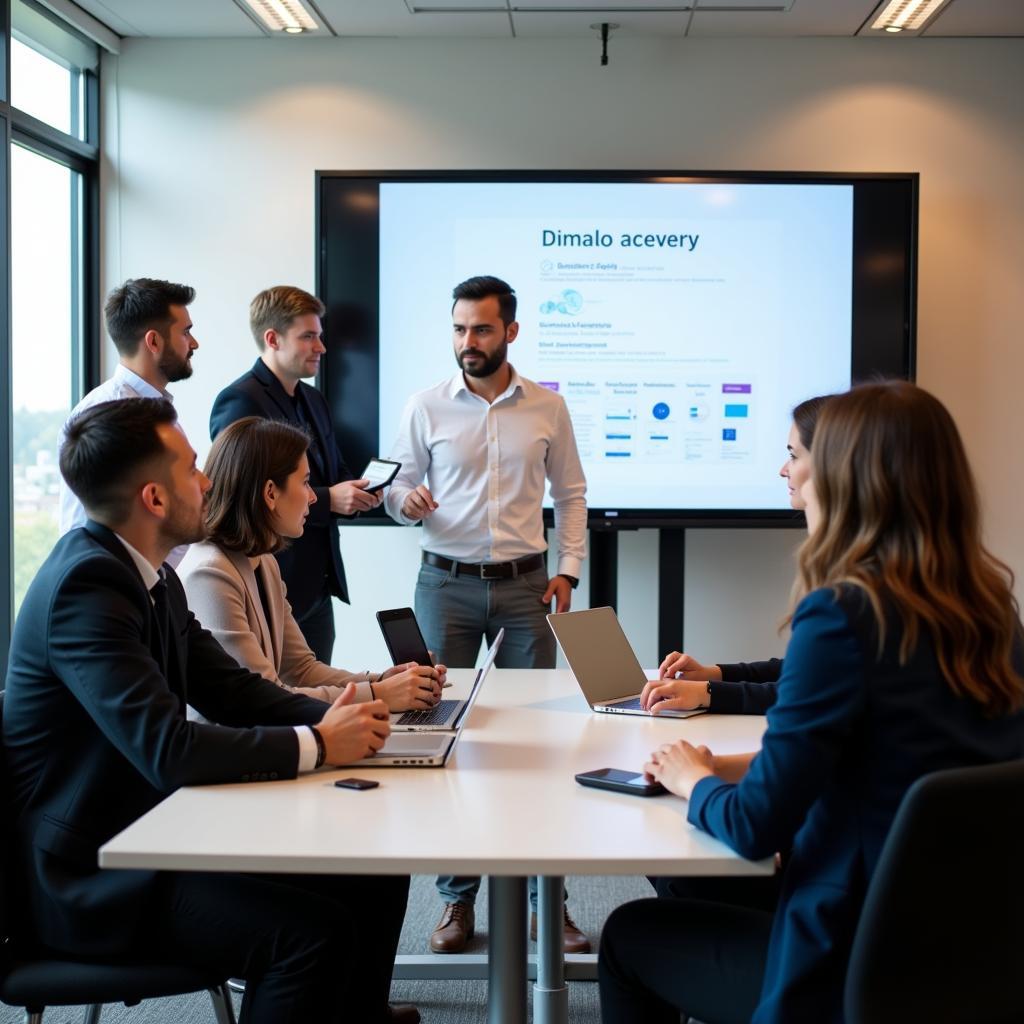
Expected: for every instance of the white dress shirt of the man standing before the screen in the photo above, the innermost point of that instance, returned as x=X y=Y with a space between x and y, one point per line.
x=486 y=465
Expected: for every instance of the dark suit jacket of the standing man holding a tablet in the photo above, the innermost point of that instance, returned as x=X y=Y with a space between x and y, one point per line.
x=259 y=393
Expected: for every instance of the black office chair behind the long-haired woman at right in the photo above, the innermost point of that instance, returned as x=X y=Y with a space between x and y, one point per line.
x=942 y=935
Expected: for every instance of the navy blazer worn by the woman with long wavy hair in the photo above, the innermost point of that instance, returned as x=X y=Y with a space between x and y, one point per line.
x=849 y=735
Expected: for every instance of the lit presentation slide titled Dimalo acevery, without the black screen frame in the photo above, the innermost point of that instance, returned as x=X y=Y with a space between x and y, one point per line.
x=680 y=323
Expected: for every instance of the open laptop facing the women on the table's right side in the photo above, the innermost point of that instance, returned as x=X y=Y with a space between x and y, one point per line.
x=604 y=663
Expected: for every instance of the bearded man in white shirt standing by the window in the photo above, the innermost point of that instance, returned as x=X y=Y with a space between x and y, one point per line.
x=149 y=324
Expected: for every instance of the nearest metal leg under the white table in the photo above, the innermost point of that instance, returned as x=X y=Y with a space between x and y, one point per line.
x=507 y=960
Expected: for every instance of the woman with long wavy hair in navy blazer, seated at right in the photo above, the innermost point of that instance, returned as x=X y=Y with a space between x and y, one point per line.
x=906 y=659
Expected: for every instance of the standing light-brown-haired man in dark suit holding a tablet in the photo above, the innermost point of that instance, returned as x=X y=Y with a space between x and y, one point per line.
x=286 y=324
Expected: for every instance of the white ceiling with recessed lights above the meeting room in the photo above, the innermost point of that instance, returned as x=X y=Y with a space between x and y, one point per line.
x=537 y=19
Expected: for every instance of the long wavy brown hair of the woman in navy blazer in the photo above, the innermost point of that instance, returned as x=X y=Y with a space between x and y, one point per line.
x=901 y=521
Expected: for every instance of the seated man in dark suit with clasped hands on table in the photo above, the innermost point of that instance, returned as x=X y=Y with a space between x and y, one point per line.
x=104 y=660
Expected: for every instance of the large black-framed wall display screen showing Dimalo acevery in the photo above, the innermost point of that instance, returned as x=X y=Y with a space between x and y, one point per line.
x=681 y=318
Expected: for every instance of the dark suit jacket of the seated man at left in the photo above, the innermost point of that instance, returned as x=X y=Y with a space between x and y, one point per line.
x=96 y=733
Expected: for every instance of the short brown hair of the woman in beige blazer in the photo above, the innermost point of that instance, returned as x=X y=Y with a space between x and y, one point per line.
x=244 y=457
